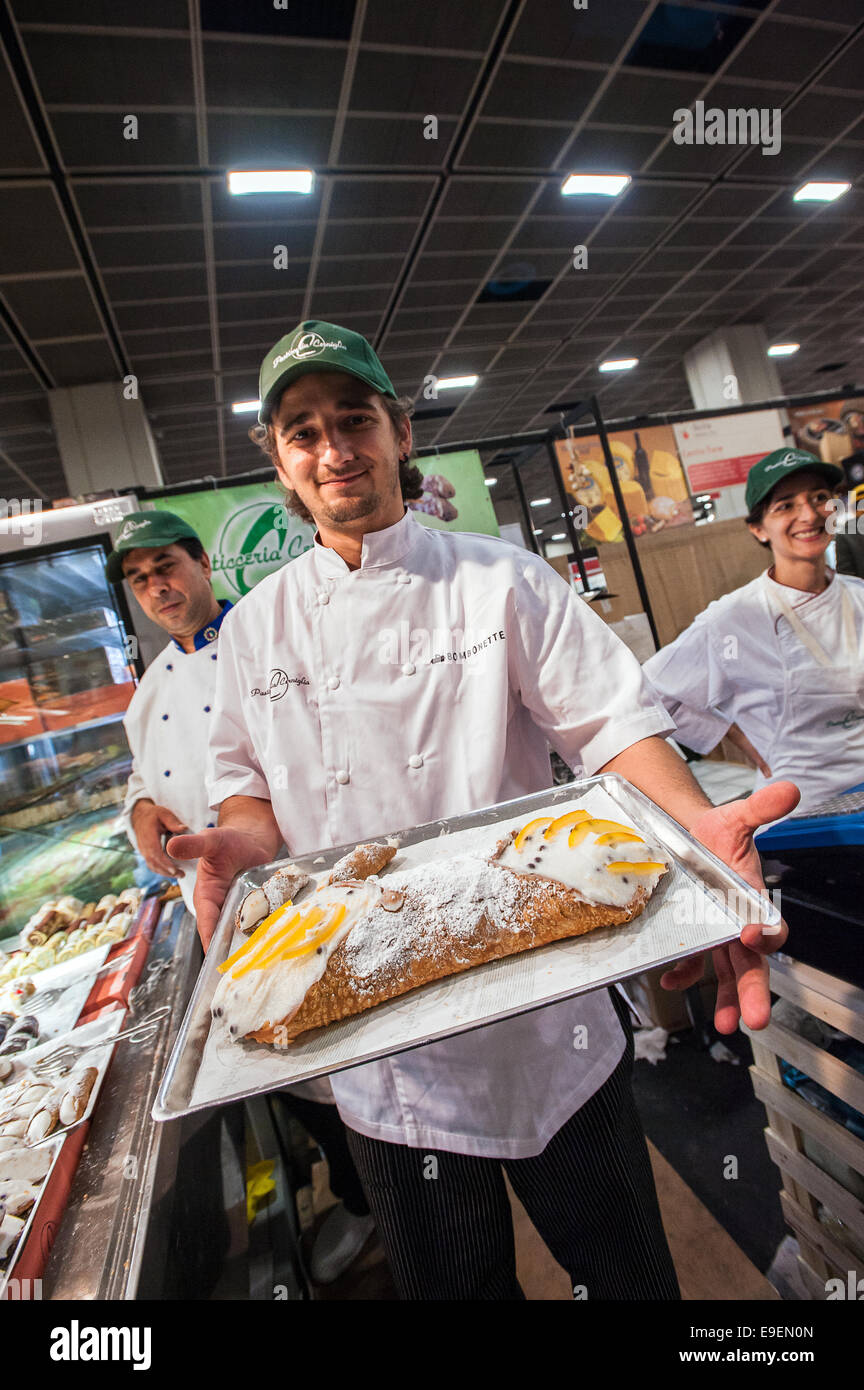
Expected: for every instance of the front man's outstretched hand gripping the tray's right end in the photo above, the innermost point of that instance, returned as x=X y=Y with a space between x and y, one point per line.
x=742 y=970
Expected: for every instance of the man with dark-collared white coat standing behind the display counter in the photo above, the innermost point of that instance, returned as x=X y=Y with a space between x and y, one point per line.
x=169 y=725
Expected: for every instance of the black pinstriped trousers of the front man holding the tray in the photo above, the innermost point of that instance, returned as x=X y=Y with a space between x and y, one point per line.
x=590 y=1195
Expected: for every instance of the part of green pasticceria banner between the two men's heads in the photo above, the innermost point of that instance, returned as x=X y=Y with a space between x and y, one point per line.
x=247 y=533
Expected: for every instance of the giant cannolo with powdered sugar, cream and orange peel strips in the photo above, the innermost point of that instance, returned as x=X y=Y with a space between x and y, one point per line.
x=359 y=943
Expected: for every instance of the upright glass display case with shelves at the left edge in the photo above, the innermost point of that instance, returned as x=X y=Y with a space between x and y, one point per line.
x=66 y=680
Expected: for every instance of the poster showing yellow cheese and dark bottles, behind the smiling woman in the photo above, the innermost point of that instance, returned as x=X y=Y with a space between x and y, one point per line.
x=654 y=486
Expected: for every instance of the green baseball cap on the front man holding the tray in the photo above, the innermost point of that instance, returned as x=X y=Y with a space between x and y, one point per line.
x=317 y=347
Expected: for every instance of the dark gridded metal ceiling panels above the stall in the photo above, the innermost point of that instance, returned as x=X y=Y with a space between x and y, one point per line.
x=122 y=255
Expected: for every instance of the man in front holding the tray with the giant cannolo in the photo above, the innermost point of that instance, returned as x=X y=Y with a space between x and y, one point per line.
x=324 y=737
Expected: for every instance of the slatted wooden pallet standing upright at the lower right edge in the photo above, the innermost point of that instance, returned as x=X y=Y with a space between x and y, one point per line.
x=824 y=1254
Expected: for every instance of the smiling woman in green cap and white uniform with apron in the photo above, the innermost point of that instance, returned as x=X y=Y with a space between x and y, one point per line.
x=779 y=664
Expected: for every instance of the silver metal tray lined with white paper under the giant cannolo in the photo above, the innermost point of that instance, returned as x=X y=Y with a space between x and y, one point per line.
x=699 y=904
